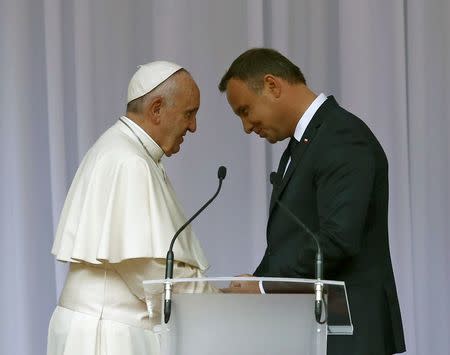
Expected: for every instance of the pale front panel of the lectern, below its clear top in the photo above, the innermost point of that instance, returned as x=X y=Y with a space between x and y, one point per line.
x=244 y=324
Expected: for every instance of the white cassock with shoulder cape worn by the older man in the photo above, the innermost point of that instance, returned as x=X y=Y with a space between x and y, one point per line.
x=115 y=229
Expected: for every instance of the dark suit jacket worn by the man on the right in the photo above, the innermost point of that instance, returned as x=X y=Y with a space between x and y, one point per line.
x=337 y=184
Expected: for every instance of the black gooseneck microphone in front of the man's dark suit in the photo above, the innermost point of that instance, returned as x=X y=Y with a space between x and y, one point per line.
x=318 y=285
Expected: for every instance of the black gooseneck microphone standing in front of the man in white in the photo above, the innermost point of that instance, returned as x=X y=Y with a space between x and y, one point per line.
x=221 y=173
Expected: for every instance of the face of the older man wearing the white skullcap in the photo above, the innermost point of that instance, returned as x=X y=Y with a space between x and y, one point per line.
x=180 y=115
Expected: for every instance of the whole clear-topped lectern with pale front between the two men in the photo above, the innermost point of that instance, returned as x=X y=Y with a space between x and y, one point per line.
x=281 y=321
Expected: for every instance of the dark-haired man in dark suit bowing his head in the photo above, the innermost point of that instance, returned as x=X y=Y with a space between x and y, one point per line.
x=334 y=177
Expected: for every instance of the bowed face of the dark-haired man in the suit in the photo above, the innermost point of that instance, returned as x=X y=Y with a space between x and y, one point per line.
x=257 y=111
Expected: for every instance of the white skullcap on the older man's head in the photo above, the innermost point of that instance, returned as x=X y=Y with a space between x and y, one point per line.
x=149 y=76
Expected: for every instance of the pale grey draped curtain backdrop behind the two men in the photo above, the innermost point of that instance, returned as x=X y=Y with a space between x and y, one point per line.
x=64 y=69
